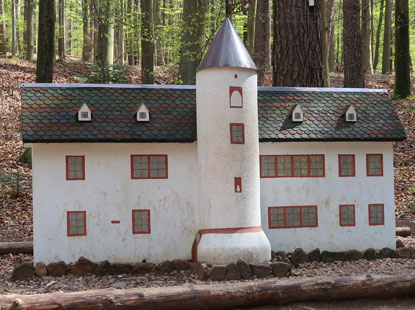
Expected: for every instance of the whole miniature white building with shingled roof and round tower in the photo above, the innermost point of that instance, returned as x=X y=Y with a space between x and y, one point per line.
x=247 y=179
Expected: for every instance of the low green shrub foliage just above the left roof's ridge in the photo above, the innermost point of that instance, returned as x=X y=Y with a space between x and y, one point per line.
x=106 y=74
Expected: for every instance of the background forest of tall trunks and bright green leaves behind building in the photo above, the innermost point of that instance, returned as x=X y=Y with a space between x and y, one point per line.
x=293 y=42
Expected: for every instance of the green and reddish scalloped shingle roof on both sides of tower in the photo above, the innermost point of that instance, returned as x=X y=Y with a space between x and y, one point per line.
x=49 y=114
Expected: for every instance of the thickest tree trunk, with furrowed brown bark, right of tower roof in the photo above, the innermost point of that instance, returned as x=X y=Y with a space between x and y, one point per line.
x=297 y=46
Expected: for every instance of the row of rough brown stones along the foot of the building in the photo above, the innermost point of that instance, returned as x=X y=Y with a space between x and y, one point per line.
x=279 y=266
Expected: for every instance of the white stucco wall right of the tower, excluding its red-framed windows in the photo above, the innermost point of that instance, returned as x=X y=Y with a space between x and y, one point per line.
x=330 y=192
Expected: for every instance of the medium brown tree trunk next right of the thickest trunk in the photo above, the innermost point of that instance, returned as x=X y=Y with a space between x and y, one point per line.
x=352 y=45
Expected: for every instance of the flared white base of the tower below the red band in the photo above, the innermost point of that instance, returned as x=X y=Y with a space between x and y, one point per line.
x=252 y=247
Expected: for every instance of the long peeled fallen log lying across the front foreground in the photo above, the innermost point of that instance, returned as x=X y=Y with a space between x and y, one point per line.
x=220 y=295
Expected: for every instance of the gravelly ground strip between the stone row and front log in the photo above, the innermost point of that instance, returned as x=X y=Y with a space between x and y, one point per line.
x=71 y=283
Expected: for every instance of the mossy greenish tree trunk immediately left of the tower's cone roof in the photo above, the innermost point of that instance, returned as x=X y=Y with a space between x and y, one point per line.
x=192 y=39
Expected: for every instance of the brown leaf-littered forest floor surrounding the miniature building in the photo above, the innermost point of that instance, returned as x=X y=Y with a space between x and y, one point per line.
x=16 y=196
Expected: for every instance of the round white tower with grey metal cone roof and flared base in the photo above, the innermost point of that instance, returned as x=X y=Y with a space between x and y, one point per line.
x=228 y=154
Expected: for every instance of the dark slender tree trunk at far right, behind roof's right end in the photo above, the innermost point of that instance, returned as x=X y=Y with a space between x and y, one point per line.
x=402 y=56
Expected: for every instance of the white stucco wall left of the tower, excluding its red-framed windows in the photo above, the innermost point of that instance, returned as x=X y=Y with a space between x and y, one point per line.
x=108 y=193
